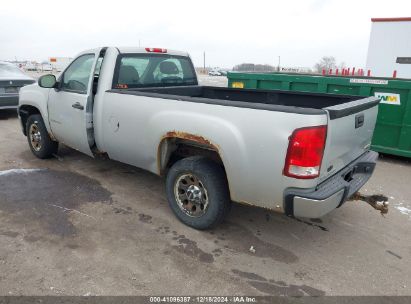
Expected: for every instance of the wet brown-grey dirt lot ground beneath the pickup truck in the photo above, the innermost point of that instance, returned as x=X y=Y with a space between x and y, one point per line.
x=74 y=225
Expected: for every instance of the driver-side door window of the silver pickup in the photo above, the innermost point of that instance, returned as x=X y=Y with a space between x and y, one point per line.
x=76 y=78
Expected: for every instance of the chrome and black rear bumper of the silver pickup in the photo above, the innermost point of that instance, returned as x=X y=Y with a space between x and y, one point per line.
x=333 y=192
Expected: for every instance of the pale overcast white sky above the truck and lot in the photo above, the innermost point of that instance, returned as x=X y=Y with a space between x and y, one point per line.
x=230 y=32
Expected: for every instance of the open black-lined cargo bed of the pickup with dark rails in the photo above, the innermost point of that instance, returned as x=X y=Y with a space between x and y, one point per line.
x=283 y=101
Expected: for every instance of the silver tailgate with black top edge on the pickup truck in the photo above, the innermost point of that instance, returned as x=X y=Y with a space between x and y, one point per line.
x=349 y=133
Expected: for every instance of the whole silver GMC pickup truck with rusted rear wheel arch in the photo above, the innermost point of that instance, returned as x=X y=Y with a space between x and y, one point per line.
x=296 y=153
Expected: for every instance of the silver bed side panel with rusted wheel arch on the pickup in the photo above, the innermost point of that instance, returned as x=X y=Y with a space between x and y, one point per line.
x=252 y=143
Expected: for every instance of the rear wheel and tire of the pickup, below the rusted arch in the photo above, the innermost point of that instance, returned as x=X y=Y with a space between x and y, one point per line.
x=206 y=176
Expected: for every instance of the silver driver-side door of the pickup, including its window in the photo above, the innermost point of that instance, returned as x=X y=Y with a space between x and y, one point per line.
x=70 y=106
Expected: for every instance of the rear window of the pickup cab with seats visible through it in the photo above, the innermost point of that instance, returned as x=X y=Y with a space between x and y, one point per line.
x=153 y=70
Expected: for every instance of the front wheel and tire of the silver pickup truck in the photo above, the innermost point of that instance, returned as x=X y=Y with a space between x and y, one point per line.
x=38 y=138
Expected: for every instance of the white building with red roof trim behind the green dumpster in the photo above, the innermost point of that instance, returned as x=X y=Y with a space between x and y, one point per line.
x=389 y=50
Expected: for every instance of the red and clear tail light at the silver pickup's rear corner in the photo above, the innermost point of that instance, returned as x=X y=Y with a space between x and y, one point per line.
x=305 y=152
